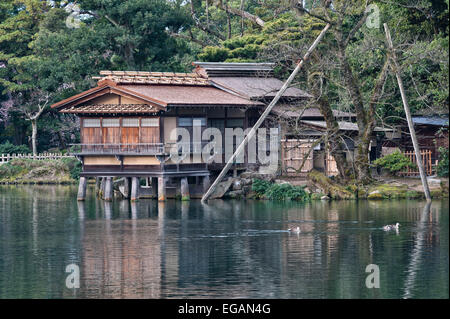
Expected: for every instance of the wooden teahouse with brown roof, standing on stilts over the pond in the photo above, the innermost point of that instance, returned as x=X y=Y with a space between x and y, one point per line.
x=126 y=120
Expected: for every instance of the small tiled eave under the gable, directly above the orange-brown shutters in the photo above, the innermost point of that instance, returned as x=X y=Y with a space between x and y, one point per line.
x=111 y=108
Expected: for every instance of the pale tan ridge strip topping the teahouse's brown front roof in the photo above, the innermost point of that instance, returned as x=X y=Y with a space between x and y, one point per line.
x=136 y=77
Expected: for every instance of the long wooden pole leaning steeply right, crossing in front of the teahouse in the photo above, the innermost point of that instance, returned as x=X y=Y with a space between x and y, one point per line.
x=264 y=115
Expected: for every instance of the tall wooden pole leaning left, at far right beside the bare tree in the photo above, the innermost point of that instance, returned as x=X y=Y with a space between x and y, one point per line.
x=412 y=131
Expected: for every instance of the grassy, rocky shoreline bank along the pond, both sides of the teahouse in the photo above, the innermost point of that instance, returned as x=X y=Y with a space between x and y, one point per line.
x=248 y=185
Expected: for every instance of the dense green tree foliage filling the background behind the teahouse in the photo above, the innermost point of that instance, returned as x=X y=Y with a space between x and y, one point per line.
x=49 y=50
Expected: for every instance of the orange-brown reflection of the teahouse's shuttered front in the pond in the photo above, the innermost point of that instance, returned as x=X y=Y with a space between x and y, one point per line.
x=122 y=258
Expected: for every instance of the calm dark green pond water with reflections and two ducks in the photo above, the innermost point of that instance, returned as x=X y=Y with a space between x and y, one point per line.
x=228 y=249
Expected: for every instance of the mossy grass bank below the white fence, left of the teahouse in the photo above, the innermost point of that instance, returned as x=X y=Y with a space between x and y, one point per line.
x=26 y=171
